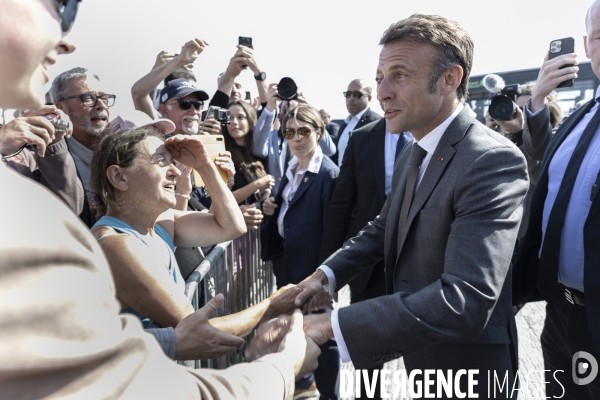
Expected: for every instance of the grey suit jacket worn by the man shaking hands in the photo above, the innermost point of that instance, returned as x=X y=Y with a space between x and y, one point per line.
x=446 y=283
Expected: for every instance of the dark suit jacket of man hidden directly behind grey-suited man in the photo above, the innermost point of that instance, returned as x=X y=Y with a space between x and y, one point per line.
x=359 y=195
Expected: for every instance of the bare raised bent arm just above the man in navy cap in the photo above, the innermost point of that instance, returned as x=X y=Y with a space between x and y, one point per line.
x=140 y=90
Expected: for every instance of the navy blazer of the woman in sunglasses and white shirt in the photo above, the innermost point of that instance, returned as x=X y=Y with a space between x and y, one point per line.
x=303 y=222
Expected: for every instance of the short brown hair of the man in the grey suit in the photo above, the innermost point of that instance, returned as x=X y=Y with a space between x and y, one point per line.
x=454 y=45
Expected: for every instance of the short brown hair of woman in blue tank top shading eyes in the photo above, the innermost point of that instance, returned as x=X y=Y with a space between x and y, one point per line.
x=116 y=148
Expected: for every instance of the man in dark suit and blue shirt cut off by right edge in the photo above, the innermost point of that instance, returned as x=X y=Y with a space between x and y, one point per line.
x=558 y=261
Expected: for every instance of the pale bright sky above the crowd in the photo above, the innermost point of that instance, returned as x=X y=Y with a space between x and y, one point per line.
x=322 y=45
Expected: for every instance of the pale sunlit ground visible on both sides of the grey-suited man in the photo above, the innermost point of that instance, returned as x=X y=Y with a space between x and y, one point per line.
x=529 y=323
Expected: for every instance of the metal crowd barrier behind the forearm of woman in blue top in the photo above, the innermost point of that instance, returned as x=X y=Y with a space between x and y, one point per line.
x=235 y=269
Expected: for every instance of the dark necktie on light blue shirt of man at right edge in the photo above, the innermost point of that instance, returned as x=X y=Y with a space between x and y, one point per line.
x=548 y=275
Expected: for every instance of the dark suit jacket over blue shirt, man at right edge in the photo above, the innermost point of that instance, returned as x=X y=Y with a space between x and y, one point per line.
x=529 y=282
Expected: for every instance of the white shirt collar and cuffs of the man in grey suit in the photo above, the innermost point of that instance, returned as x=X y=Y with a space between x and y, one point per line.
x=428 y=143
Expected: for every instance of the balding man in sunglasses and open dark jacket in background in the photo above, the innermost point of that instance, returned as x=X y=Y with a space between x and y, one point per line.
x=358 y=96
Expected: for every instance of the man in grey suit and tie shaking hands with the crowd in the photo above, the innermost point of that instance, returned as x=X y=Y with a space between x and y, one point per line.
x=446 y=232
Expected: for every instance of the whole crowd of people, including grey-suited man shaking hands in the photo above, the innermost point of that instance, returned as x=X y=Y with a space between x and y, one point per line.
x=442 y=226
